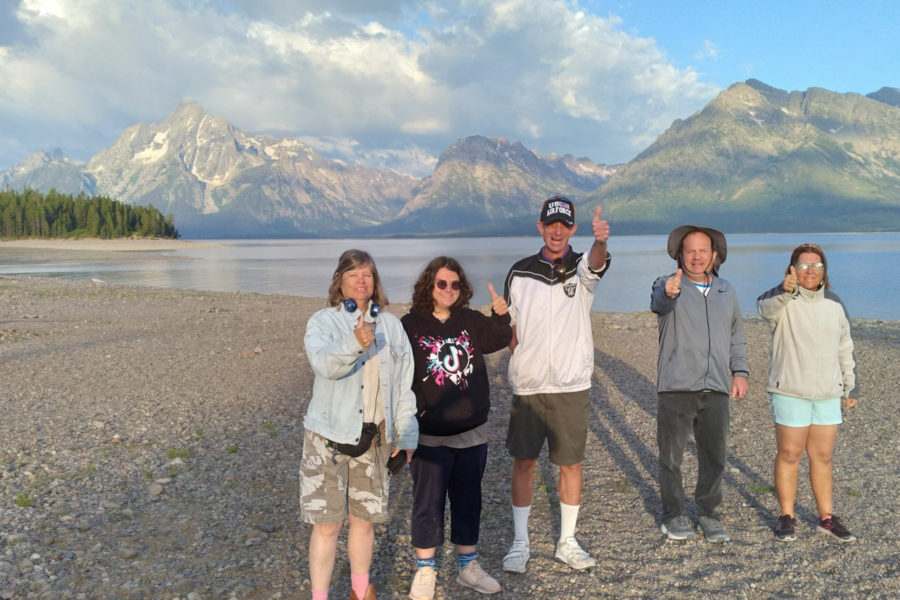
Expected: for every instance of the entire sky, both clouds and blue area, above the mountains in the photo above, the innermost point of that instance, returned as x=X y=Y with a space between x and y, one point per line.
x=394 y=82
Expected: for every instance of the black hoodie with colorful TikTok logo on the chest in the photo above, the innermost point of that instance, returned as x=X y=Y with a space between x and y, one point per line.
x=451 y=381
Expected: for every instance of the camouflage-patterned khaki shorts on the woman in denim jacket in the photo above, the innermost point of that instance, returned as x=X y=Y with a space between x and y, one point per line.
x=331 y=483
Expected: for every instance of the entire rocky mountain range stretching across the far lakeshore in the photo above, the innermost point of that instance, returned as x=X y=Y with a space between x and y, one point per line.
x=755 y=159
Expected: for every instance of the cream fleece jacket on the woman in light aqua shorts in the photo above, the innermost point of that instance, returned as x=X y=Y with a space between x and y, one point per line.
x=812 y=351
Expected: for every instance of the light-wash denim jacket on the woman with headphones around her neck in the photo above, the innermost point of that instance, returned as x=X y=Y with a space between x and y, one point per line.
x=335 y=410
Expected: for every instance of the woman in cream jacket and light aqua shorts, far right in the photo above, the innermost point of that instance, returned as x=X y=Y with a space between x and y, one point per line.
x=812 y=369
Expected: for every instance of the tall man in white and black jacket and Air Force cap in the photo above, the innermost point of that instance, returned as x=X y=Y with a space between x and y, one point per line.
x=550 y=296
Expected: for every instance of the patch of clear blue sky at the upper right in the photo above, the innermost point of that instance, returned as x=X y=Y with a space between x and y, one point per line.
x=792 y=45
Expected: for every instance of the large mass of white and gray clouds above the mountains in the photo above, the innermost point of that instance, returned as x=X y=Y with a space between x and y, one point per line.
x=397 y=80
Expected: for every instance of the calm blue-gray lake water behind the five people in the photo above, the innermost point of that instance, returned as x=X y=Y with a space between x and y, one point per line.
x=862 y=267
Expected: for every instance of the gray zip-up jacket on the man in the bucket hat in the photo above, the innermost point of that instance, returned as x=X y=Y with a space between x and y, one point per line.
x=701 y=338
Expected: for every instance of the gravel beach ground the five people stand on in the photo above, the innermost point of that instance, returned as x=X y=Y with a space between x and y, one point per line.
x=150 y=446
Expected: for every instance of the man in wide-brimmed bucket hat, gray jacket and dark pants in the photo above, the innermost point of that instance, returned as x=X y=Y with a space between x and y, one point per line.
x=702 y=361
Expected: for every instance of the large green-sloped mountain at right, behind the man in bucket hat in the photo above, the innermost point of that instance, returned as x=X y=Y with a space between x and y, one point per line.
x=760 y=159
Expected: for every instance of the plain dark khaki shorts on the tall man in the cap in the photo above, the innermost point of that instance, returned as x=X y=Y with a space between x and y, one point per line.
x=561 y=419
